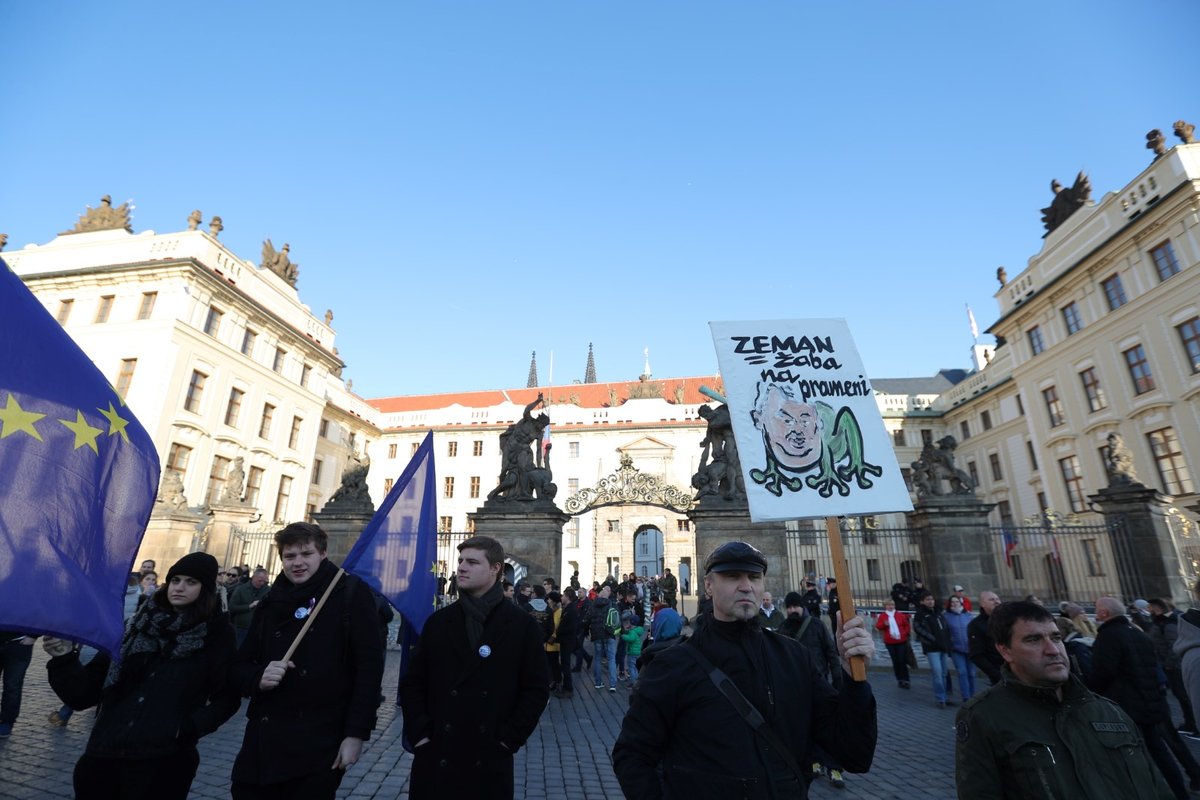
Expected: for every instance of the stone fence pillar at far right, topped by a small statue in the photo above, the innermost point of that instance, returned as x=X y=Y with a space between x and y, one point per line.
x=1149 y=563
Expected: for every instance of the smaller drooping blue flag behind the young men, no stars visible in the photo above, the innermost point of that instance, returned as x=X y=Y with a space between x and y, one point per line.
x=398 y=552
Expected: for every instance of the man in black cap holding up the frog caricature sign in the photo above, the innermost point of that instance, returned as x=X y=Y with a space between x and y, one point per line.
x=685 y=738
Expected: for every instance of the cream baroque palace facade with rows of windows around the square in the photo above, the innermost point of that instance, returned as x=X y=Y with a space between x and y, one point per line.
x=221 y=360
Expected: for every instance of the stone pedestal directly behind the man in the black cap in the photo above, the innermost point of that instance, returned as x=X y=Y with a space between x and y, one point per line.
x=718 y=521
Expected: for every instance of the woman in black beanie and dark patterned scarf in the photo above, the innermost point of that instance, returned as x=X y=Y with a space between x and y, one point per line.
x=165 y=690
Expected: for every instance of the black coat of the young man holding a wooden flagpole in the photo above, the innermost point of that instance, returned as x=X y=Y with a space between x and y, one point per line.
x=333 y=693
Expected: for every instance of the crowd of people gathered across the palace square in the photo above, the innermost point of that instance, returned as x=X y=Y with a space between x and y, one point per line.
x=1075 y=703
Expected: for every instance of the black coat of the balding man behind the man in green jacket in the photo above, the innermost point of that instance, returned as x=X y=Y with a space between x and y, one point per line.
x=1126 y=672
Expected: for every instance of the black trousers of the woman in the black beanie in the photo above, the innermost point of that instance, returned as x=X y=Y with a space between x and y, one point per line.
x=167 y=778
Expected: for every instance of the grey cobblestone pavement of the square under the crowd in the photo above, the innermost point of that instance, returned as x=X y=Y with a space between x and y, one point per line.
x=562 y=761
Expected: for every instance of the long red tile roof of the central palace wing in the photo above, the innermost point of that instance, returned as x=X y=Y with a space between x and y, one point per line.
x=589 y=395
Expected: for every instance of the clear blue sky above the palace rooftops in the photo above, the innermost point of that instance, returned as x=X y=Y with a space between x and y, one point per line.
x=465 y=183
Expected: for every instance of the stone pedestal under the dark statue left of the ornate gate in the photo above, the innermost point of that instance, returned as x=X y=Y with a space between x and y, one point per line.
x=530 y=531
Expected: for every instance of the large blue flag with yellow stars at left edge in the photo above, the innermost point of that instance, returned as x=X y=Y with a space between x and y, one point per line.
x=80 y=482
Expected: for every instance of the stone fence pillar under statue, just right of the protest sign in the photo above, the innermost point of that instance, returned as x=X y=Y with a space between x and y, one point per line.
x=957 y=546
